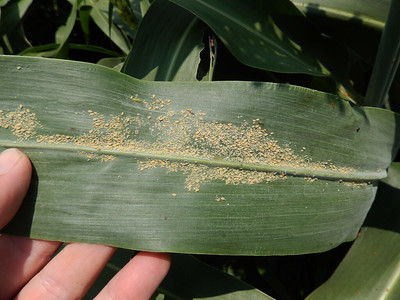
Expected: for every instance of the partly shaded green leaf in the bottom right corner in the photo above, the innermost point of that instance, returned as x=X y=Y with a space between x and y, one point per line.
x=371 y=268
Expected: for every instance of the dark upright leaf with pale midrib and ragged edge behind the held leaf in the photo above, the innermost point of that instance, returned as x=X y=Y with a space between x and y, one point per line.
x=171 y=46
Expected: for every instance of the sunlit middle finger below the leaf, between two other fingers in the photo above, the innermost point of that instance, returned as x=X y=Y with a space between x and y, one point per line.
x=70 y=274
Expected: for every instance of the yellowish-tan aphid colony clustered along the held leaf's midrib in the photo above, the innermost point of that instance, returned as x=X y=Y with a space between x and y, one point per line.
x=178 y=140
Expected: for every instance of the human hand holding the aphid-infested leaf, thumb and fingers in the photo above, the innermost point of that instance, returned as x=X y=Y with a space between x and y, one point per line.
x=26 y=271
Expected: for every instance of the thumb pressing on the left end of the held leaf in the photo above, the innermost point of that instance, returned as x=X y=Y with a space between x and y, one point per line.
x=15 y=176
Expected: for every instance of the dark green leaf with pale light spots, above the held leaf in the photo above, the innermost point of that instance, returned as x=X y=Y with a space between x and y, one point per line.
x=270 y=35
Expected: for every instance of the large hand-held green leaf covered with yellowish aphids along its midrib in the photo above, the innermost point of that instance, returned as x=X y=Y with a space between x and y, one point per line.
x=217 y=167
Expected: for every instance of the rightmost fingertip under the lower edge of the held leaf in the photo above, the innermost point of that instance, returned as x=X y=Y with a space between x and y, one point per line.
x=139 y=278
